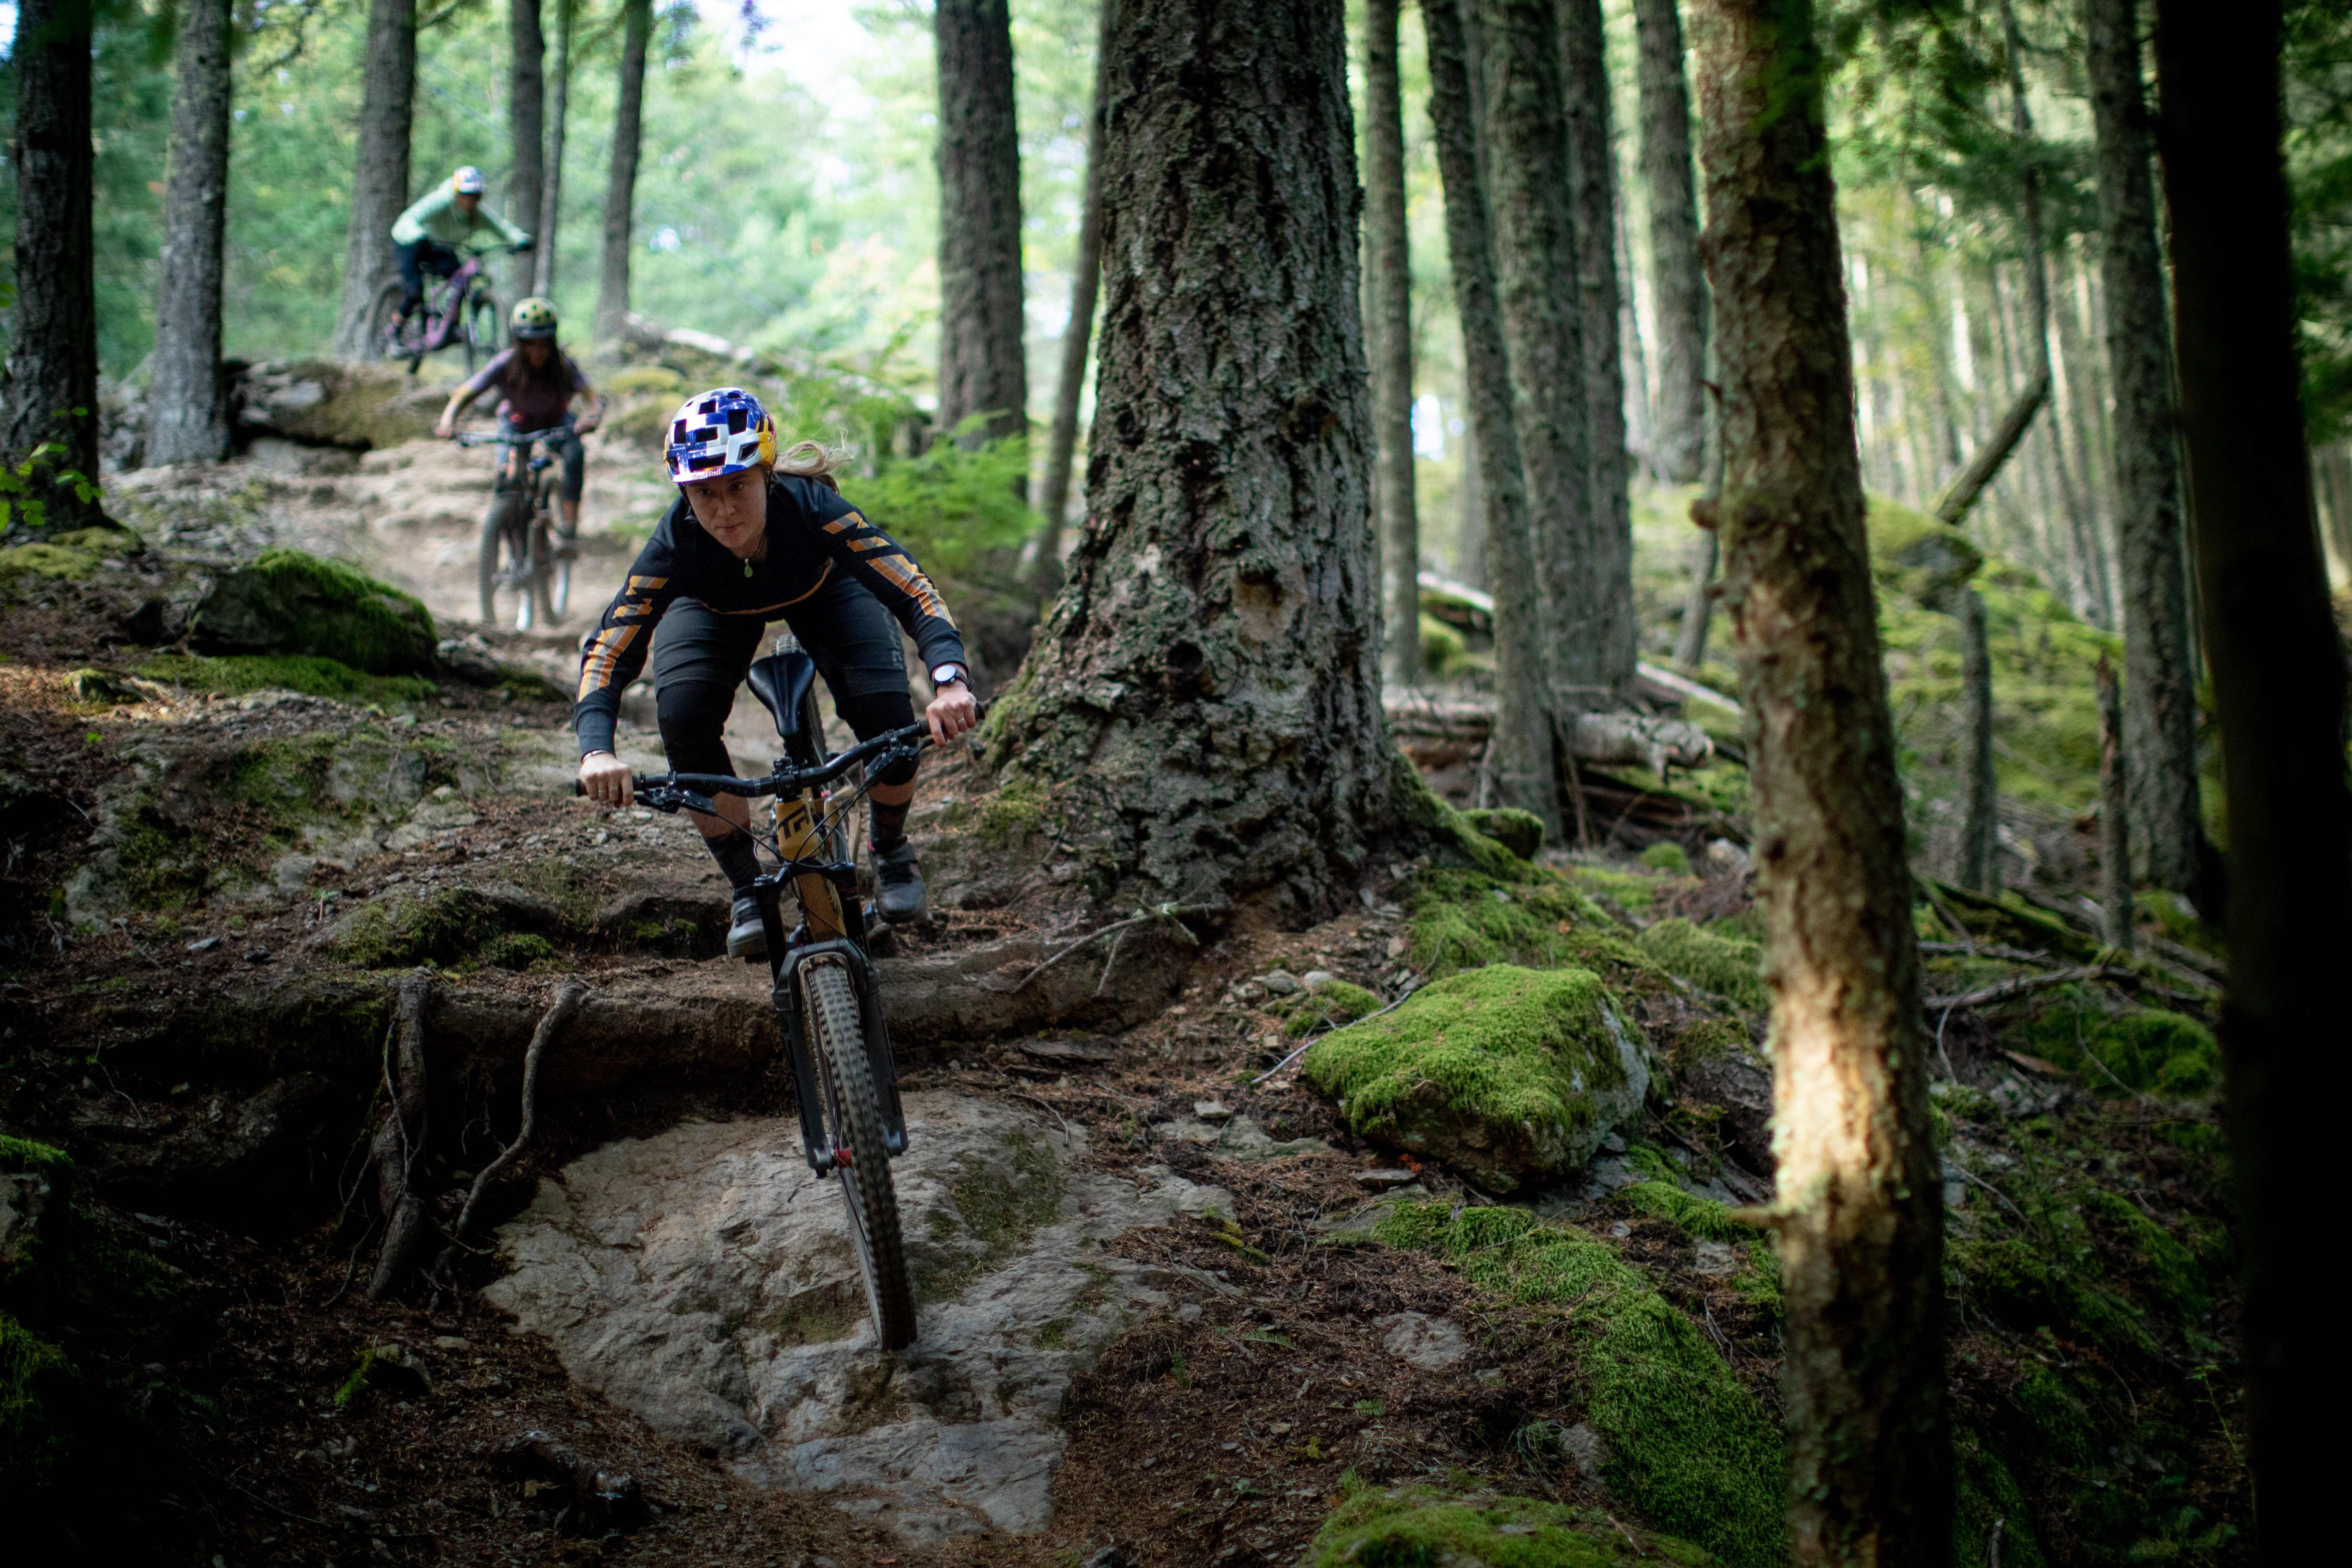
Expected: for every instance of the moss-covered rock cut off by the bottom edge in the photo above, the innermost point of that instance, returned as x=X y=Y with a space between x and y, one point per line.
x=1431 y=1525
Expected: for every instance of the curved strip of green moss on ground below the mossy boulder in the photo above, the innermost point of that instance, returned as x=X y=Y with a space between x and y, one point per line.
x=1690 y=1447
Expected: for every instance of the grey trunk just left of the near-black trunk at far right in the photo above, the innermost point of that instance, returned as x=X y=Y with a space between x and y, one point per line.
x=2160 y=676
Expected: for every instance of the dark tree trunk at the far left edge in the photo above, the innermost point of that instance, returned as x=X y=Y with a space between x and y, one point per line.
x=53 y=361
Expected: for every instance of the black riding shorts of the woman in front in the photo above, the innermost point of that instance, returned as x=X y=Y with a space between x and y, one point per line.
x=700 y=662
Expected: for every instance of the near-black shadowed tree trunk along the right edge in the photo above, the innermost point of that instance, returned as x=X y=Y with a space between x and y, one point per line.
x=2280 y=697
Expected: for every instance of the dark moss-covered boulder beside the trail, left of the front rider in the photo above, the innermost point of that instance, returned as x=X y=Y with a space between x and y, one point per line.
x=293 y=603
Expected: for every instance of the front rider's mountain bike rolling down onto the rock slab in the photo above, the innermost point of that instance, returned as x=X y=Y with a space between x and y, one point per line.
x=827 y=991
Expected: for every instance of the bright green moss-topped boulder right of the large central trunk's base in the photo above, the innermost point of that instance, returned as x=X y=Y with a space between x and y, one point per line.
x=1509 y=1076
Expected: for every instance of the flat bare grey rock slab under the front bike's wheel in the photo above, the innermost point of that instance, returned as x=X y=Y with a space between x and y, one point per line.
x=704 y=1280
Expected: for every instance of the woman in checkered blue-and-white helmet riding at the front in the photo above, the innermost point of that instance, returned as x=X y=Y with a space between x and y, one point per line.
x=756 y=540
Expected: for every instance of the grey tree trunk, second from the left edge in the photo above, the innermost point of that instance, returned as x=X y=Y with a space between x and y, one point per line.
x=187 y=396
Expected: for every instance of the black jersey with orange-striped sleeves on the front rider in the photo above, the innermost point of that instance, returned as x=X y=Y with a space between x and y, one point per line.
x=813 y=535
